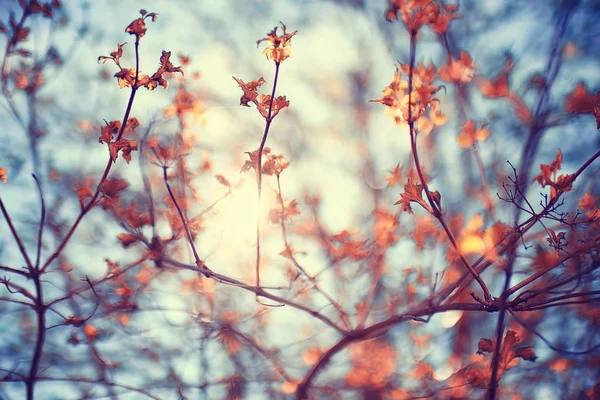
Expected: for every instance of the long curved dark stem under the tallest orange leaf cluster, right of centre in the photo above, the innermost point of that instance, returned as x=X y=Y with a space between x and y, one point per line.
x=435 y=210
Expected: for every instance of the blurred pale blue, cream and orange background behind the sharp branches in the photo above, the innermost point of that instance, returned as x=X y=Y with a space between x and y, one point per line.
x=173 y=334
